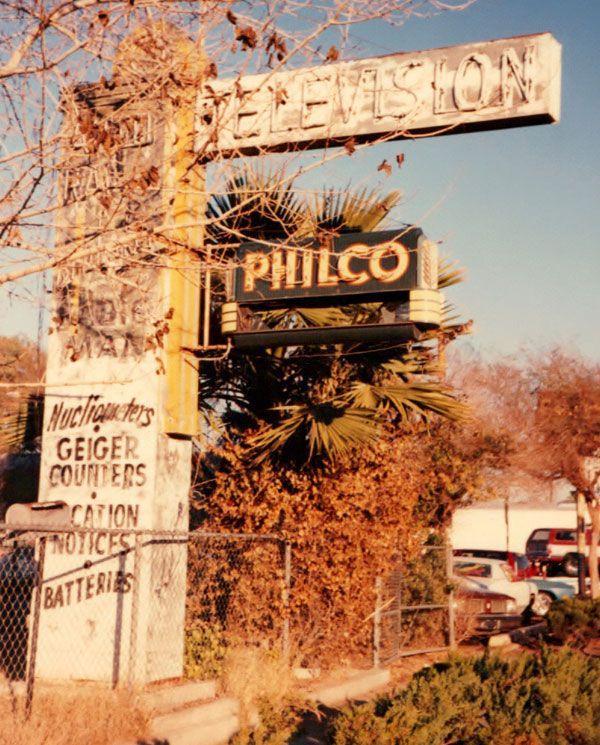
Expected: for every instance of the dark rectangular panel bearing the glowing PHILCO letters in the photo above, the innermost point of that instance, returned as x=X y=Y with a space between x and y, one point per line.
x=335 y=266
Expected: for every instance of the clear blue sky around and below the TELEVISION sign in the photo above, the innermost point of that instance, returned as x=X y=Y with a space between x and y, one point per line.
x=517 y=207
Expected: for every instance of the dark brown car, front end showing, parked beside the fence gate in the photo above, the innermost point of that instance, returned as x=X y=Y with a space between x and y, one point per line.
x=487 y=611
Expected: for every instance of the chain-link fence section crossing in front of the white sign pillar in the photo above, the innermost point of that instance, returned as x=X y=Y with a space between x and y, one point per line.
x=110 y=605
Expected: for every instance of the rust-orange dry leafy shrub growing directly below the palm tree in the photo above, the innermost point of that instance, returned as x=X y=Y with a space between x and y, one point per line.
x=348 y=523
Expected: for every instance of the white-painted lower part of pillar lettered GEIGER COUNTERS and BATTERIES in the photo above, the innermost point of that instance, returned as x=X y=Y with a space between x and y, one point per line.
x=118 y=477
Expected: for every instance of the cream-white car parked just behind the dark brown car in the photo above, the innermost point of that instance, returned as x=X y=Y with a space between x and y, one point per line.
x=493 y=575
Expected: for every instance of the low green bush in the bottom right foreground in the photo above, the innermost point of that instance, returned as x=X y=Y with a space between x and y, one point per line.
x=552 y=699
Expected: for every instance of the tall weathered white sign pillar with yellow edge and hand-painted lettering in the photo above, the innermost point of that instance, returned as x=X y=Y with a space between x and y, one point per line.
x=121 y=388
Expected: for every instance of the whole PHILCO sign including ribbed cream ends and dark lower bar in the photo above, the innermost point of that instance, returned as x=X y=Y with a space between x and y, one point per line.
x=395 y=270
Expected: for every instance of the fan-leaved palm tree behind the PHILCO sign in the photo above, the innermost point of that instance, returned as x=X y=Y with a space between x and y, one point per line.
x=308 y=403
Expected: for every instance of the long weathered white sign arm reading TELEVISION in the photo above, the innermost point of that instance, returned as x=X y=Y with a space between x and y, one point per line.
x=488 y=85
